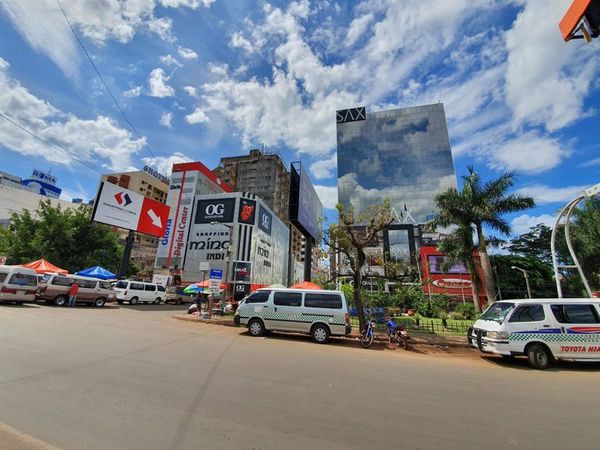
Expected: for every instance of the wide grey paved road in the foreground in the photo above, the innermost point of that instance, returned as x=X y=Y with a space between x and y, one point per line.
x=133 y=378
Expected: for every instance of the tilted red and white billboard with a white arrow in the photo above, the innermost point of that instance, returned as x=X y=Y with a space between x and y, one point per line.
x=127 y=209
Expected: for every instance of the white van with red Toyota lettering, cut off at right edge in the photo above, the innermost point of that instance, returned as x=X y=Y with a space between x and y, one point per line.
x=544 y=330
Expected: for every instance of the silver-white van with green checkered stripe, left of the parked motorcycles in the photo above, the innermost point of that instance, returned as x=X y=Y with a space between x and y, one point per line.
x=316 y=312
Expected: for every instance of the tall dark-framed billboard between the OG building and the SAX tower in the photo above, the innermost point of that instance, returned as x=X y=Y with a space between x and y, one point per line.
x=306 y=209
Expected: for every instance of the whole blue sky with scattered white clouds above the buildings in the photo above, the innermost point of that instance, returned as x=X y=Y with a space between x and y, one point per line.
x=202 y=79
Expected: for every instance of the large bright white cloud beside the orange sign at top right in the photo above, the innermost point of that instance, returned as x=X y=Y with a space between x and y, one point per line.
x=546 y=80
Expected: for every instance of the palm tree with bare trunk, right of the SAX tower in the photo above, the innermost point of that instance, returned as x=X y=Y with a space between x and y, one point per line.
x=481 y=204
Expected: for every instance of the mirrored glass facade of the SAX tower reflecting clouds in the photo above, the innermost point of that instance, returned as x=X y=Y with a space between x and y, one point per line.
x=403 y=155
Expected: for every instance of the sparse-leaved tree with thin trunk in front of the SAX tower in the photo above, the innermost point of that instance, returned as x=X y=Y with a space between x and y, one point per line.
x=351 y=235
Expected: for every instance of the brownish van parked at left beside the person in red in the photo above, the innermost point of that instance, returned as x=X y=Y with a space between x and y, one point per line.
x=55 y=290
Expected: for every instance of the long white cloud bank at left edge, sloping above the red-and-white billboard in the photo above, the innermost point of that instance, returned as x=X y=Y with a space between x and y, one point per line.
x=99 y=141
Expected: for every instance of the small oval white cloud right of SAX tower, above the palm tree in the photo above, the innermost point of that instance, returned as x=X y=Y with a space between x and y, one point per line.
x=529 y=152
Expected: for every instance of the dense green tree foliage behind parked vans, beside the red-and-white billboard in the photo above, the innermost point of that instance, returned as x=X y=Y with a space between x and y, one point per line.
x=64 y=237
